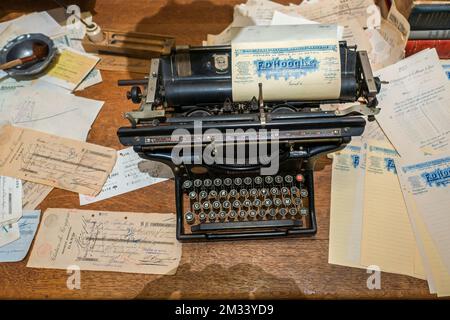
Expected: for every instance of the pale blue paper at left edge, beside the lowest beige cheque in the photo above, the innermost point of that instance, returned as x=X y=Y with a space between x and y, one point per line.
x=18 y=249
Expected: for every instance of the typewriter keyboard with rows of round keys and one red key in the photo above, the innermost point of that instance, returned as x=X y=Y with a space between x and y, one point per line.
x=245 y=202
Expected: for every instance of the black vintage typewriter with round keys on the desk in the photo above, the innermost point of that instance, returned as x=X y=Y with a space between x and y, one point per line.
x=235 y=200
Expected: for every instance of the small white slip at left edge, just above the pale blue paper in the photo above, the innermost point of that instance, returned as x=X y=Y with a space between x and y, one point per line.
x=10 y=200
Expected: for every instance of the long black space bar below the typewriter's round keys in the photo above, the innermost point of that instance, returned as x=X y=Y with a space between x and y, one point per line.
x=246 y=224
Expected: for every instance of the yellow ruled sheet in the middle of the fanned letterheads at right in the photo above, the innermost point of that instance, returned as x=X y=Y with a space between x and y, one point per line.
x=387 y=236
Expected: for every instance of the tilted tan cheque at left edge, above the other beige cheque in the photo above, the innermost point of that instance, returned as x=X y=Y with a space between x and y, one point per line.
x=51 y=160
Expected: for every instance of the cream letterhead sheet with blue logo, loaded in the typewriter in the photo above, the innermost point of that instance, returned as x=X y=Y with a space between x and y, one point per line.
x=293 y=62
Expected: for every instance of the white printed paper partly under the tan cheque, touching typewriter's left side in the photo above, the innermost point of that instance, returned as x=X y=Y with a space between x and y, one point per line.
x=124 y=177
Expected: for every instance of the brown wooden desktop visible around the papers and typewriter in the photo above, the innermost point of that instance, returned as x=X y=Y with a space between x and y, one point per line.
x=286 y=268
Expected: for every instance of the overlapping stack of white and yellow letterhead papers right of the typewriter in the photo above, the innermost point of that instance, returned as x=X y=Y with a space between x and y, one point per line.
x=391 y=189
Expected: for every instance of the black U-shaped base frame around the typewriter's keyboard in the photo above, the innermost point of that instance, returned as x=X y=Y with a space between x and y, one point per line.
x=249 y=229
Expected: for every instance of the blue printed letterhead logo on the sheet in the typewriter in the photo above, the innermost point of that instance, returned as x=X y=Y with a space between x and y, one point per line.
x=286 y=68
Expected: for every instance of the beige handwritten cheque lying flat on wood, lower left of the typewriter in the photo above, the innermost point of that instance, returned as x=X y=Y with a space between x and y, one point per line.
x=107 y=241
